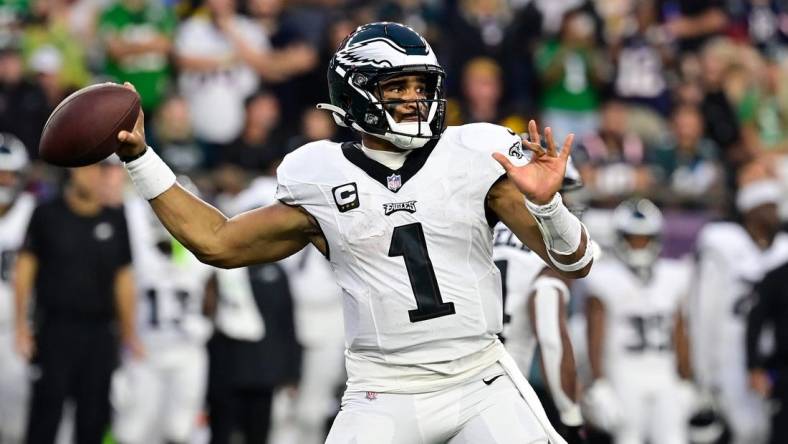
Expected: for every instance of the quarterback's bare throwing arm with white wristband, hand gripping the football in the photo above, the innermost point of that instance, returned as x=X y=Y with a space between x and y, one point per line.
x=261 y=235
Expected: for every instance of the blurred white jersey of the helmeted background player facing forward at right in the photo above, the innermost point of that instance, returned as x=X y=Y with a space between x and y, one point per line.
x=640 y=317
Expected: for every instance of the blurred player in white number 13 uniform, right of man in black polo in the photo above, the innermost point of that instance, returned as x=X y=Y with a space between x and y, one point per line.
x=159 y=395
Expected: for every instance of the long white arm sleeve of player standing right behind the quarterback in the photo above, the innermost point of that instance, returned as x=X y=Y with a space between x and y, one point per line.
x=548 y=292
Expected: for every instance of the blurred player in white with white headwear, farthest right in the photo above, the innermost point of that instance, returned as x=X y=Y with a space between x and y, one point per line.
x=732 y=258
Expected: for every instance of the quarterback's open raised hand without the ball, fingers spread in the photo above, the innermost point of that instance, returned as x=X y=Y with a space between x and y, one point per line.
x=542 y=177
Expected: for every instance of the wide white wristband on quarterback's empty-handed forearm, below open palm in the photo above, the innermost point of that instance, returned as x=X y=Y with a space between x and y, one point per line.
x=560 y=228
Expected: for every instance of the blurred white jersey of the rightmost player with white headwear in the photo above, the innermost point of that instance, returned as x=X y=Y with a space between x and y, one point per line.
x=730 y=264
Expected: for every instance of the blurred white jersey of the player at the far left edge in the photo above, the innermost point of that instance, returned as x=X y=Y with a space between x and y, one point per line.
x=13 y=226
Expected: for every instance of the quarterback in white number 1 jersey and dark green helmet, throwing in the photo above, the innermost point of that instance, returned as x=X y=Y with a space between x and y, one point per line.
x=405 y=219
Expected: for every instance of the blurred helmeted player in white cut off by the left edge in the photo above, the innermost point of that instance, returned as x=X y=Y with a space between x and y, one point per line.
x=16 y=207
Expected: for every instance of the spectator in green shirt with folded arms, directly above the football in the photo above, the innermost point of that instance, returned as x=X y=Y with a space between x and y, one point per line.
x=138 y=38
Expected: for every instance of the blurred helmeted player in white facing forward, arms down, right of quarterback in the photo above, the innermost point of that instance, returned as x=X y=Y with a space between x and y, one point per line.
x=637 y=348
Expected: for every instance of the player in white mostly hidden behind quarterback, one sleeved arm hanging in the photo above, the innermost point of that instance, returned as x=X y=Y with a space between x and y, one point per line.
x=536 y=303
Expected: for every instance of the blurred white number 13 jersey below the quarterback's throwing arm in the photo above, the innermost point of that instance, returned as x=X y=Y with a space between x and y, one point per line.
x=170 y=288
